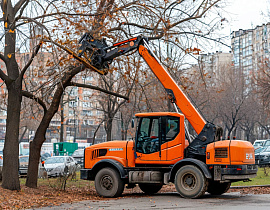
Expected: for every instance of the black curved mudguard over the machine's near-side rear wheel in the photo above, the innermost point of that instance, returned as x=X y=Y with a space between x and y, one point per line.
x=190 y=161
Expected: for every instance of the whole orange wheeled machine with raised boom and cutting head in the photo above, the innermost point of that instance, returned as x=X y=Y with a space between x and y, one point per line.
x=160 y=153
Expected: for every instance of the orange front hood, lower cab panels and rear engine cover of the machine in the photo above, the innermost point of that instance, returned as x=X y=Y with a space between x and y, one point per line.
x=228 y=152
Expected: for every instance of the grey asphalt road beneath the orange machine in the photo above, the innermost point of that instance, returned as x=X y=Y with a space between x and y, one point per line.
x=228 y=201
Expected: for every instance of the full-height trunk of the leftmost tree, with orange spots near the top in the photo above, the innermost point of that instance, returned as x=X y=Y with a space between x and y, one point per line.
x=14 y=86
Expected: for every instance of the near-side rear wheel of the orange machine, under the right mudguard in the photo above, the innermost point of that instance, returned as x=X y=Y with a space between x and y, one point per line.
x=190 y=182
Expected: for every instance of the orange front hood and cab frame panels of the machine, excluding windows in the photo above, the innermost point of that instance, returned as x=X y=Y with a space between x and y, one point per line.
x=124 y=151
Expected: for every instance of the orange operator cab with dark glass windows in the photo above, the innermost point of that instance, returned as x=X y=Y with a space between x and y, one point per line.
x=156 y=134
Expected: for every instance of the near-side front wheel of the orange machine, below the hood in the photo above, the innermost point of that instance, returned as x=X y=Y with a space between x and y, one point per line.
x=108 y=183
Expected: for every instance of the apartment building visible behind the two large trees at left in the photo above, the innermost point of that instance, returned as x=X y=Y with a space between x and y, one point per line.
x=79 y=106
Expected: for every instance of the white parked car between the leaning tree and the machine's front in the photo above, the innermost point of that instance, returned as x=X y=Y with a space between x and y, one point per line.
x=60 y=166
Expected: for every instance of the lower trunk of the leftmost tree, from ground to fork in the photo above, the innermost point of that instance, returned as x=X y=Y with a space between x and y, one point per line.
x=11 y=148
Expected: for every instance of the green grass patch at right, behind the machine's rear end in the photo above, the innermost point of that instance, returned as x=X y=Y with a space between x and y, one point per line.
x=261 y=179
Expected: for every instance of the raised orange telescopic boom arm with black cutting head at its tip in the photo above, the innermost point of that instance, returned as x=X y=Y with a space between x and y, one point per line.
x=102 y=55
